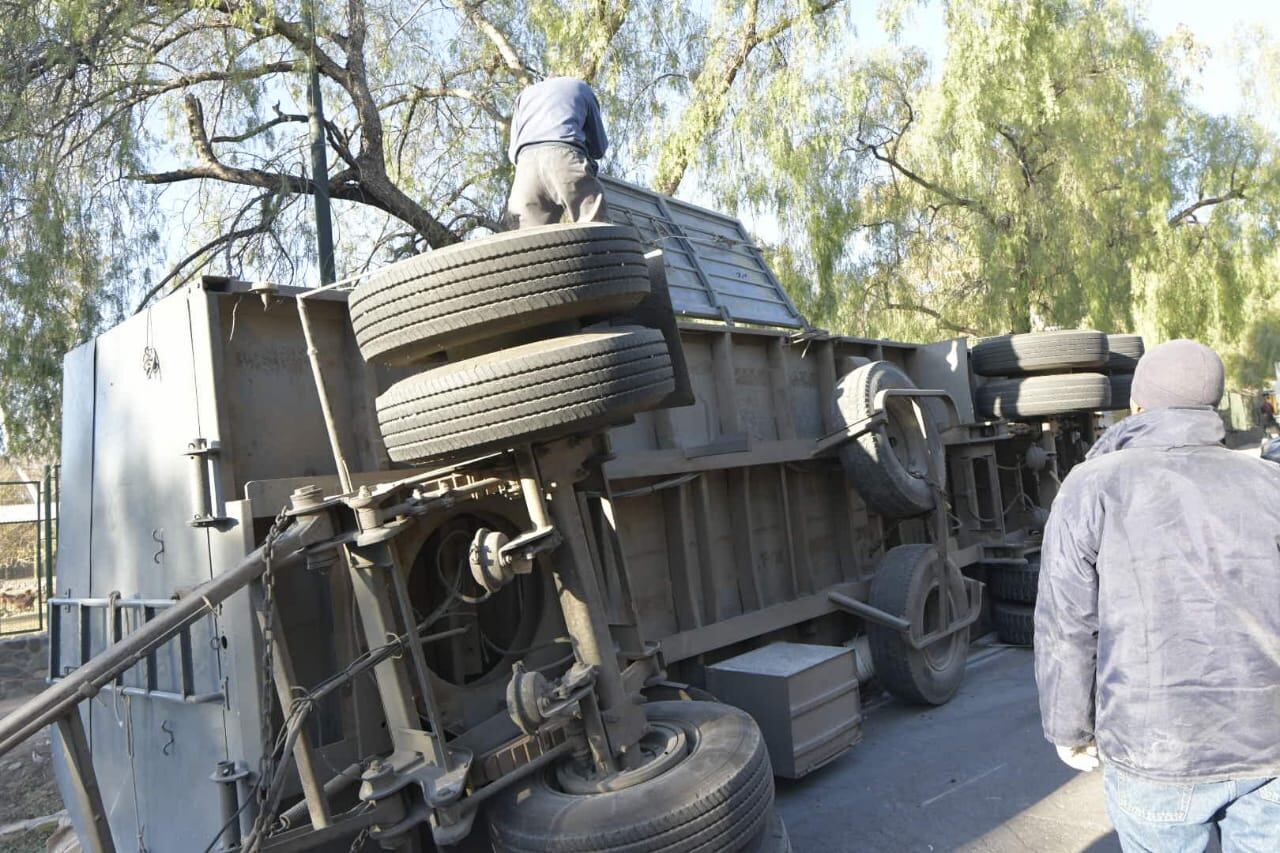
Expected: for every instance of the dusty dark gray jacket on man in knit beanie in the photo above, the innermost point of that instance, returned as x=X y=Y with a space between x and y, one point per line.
x=1158 y=624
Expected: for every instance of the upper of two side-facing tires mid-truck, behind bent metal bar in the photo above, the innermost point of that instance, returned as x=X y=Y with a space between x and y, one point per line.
x=890 y=467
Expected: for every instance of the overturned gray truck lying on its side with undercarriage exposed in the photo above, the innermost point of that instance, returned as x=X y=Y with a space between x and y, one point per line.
x=573 y=539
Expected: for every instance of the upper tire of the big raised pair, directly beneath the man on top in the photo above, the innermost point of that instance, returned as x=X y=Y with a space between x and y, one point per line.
x=504 y=284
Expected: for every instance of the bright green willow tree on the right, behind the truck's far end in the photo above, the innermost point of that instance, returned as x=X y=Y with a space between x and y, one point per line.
x=1053 y=172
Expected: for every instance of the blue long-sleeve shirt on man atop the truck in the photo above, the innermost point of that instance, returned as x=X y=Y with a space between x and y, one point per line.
x=561 y=110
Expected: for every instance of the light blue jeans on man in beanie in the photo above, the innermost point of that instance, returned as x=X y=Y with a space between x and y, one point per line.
x=1171 y=818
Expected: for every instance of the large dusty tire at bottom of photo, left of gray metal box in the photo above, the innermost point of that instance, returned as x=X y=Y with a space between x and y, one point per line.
x=720 y=797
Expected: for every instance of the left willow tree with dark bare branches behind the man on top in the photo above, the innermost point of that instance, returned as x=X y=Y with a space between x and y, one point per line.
x=147 y=142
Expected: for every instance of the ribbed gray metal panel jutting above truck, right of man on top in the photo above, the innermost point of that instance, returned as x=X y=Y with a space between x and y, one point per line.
x=715 y=270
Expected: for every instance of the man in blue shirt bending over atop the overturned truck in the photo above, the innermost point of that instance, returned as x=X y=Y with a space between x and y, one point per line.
x=557 y=139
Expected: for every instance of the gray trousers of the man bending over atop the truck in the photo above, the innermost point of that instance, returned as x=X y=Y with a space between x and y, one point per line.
x=552 y=183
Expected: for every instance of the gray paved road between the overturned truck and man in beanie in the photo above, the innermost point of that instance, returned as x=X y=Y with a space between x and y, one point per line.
x=973 y=776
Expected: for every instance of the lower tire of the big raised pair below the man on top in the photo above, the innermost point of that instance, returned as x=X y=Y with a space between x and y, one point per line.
x=527 y=394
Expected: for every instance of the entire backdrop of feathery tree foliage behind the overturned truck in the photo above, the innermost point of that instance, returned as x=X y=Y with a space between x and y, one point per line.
x=1052 y=172
